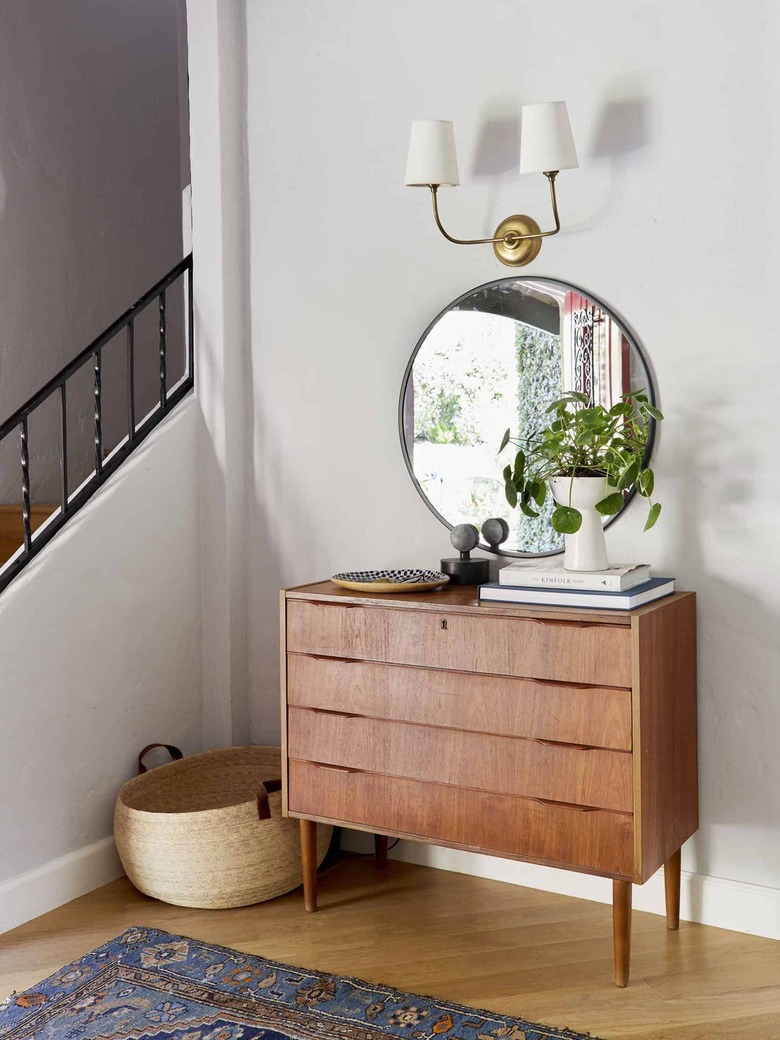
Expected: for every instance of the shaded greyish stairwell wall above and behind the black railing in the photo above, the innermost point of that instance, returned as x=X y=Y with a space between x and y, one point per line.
x=91 y=179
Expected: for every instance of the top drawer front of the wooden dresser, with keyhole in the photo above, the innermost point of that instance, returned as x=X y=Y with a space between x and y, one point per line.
x=561 y=651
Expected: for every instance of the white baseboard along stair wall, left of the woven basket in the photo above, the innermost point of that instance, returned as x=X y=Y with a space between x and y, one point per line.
x=60 y=881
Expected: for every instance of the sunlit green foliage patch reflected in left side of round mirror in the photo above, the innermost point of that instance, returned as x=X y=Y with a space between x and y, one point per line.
x=451 y=401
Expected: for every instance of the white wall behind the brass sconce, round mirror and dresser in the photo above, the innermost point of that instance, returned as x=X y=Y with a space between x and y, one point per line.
x=669 y=220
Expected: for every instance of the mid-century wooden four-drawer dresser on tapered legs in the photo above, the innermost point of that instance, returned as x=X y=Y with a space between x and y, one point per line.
x=557 y=737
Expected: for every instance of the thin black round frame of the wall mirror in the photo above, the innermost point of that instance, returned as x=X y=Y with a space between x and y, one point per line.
x=635 y=344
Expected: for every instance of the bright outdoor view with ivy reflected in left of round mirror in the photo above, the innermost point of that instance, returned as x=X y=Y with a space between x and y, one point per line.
x=477 y=375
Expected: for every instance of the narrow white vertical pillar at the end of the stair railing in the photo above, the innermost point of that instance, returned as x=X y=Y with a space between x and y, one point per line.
x=223 y=385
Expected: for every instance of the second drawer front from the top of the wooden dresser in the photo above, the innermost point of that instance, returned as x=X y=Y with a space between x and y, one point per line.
x=600 y=717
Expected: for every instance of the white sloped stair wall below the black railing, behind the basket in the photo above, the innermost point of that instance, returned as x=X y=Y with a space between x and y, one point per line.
x=100 y=652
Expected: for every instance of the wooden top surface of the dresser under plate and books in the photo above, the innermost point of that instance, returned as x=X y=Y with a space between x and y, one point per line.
x=464 y=599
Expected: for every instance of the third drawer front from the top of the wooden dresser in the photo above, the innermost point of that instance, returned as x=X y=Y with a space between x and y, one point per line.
x=505 y=765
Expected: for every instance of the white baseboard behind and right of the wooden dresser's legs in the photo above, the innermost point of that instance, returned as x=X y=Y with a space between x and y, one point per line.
x=734 y=905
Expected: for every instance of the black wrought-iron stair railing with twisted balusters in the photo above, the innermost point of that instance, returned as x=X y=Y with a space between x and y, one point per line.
x=105 y=464
